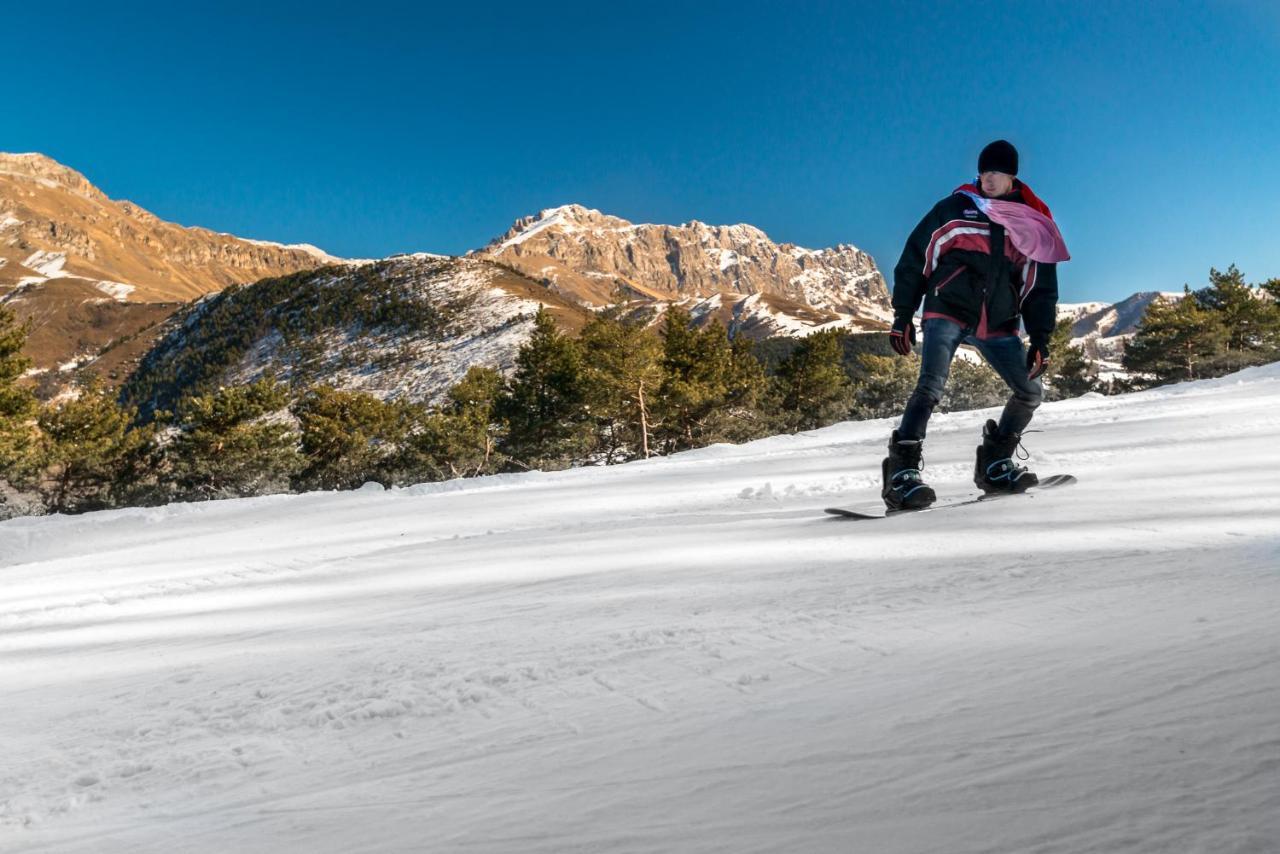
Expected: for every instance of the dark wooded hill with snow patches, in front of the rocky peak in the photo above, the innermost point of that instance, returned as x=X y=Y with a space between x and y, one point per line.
x=409 y=327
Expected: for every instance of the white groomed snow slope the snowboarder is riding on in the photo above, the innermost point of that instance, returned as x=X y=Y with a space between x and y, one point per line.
x=675 y=656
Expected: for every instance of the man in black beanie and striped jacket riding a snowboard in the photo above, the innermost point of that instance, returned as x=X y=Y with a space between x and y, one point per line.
x=984 y=259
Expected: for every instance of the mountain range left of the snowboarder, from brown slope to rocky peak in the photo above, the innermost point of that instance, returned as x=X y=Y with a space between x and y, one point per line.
x=103 y=282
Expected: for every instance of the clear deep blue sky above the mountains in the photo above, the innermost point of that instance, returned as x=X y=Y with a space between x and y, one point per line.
x=1153 y=133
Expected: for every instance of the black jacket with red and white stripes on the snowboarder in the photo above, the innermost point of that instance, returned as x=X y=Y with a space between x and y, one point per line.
x=966 y=268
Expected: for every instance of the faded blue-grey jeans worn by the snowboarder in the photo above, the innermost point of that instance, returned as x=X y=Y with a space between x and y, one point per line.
x=941 y=339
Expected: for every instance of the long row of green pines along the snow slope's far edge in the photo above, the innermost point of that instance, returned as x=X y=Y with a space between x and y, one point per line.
x=619 y=391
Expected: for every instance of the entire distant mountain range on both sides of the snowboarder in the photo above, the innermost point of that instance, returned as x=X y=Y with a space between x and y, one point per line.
x=108 y=286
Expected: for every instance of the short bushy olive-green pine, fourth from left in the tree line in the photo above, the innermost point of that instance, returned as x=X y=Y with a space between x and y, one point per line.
x=349 y=439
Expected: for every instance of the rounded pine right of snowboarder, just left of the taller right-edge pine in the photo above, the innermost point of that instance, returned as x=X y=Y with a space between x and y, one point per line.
x=1177 y=340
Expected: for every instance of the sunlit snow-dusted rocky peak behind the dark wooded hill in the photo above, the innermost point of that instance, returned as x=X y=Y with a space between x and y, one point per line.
x=597 y=259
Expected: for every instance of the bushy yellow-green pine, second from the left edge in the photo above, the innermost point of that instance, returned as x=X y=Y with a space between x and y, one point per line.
x=90 y=453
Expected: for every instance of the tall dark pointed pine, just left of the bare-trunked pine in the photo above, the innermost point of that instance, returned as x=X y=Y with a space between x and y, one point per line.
x=543 y=408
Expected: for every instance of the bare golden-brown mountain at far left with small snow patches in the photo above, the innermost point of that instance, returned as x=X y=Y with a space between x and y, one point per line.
x=94 y=275
